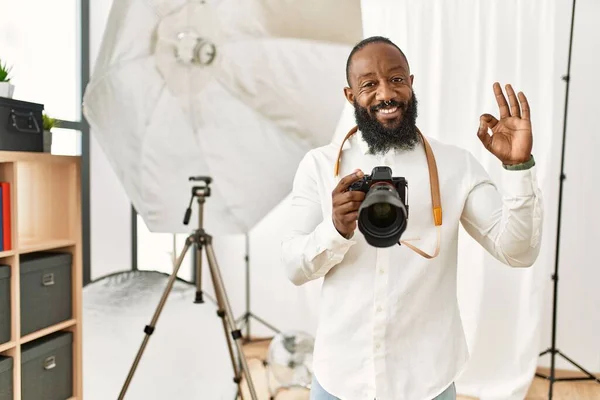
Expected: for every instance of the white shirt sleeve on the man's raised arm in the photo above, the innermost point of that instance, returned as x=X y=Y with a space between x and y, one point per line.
x=508 y=224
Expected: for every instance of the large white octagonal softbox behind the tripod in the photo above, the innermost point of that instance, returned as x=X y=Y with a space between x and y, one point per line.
x=237 y=90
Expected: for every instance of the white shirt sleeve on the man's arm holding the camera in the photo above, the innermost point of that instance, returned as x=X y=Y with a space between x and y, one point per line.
x=311 y=245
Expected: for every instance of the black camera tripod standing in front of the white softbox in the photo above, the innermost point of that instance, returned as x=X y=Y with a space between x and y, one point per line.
x=200 y=239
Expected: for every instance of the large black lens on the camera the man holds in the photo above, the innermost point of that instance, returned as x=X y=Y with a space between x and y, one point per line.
x=382 y=216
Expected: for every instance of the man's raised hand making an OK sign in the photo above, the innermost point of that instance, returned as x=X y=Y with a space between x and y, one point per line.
x=511 y=140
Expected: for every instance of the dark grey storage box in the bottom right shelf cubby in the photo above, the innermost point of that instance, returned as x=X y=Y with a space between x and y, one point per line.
x=47 y=368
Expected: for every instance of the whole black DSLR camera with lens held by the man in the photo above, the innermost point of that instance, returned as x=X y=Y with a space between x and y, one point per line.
x=383 y=214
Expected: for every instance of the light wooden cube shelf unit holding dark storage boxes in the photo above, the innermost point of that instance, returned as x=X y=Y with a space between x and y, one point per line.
x=45 y=212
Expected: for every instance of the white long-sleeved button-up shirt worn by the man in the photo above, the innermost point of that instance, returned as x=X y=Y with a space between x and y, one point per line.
x=389 y=325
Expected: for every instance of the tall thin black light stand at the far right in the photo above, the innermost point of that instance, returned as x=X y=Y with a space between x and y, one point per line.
x=553 y=351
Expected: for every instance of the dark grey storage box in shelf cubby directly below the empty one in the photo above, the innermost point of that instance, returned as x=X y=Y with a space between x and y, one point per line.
x=46 y=290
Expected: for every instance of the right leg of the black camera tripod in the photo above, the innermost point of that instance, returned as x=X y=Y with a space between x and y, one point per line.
x=235 y=333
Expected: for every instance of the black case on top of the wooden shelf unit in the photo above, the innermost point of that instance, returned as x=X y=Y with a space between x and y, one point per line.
x=21 y=125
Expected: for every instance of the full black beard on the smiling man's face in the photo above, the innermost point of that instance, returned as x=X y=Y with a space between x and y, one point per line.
x=380 y=138
